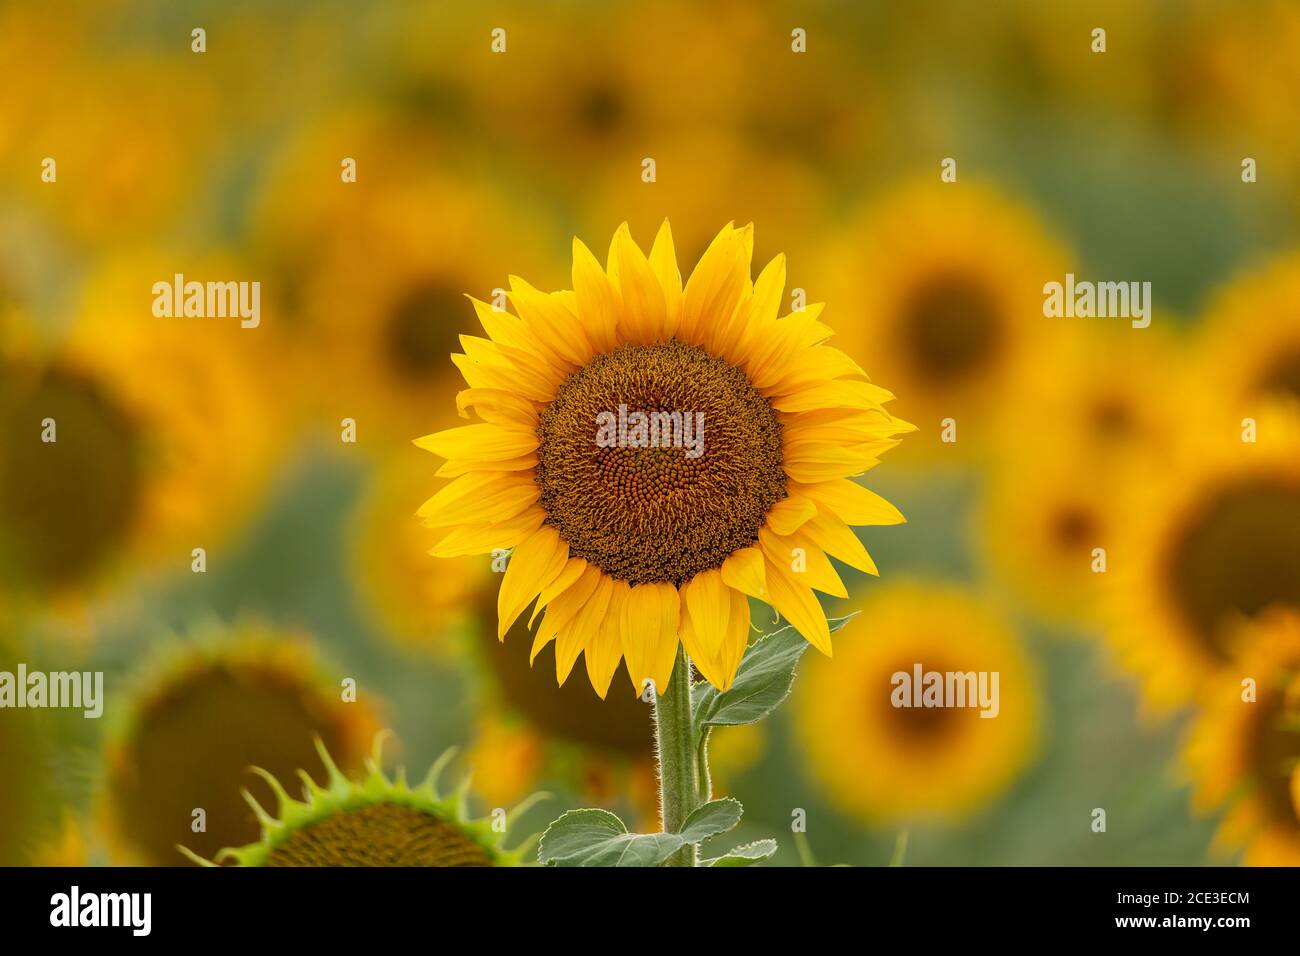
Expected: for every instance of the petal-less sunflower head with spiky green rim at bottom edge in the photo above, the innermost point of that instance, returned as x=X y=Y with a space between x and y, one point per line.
x=374 y=821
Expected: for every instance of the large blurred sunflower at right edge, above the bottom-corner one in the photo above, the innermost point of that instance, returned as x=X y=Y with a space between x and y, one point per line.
x=1214 y=540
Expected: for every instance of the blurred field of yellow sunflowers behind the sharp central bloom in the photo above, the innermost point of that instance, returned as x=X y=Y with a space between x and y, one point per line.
x=925 y=167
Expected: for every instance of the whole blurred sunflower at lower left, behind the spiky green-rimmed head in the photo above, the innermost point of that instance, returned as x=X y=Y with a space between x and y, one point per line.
x=201 y=717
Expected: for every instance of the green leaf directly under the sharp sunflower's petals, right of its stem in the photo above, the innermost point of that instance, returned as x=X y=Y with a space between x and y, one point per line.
x=762 y=682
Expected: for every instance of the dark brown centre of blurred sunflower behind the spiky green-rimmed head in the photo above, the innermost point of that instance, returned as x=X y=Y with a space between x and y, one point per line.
x=194 y=747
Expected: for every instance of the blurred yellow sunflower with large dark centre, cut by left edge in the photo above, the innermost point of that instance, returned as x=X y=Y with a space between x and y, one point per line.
x=180 y=455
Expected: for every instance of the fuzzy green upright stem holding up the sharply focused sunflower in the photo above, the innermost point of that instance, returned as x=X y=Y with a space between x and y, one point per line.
x=679 y=771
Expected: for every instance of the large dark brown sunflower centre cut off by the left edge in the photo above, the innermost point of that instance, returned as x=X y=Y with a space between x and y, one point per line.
x=64 y=504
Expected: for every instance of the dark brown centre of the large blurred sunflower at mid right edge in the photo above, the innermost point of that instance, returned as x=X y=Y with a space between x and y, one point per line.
x=1238 y=555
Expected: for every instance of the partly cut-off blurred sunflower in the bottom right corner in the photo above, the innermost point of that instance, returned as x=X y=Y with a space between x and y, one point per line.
x=1243 y=752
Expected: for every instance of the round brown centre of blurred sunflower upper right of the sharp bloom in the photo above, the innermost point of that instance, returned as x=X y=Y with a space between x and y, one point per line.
x=951 y=328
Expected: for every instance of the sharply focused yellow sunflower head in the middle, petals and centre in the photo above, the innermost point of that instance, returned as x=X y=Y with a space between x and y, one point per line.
x=631 y=548
